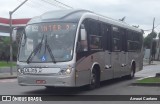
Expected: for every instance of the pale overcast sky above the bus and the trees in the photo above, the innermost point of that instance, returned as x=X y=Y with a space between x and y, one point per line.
x=137 y=12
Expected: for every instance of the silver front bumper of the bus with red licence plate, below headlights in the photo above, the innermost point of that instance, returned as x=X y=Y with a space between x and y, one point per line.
x=36 y=80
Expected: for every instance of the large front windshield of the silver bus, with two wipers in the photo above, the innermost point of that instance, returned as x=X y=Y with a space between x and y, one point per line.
x=48 y=42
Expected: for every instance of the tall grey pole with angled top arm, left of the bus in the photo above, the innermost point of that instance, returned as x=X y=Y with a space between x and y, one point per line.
x=10 y=23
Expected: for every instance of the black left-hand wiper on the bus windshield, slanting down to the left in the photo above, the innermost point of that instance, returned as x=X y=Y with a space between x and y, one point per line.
x=34 y=52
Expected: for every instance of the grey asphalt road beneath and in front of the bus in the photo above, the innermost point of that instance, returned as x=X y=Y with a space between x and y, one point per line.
x=112 y=87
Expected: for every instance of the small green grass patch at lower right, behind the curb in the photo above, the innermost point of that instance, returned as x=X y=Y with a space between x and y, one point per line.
x=149 y=80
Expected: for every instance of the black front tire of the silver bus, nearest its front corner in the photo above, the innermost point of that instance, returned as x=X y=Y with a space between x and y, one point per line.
x=95 y=79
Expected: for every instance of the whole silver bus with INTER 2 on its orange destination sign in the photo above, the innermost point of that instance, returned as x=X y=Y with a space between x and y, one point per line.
x=71 y=48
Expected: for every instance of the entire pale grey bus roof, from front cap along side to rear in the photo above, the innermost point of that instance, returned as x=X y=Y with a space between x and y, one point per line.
x=74 y=15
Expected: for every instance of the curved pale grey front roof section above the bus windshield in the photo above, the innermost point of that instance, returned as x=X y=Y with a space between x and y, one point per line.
x=72 y=15
